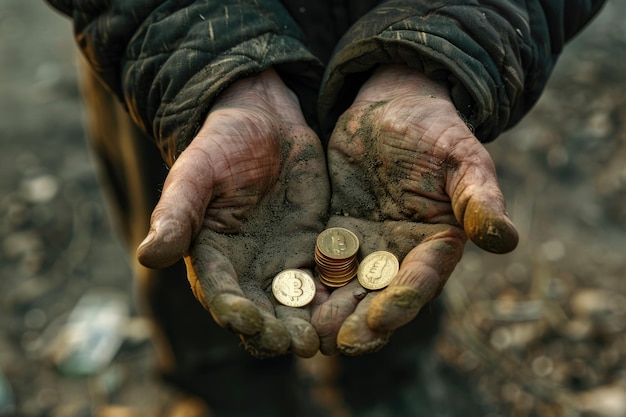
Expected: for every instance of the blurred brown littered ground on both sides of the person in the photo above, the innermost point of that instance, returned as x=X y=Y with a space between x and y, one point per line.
x=540 y=330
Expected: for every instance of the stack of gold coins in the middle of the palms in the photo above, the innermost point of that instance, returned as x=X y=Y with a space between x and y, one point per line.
x=336 y=256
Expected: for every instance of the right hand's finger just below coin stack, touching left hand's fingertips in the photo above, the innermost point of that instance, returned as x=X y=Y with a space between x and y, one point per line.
x=328 y=317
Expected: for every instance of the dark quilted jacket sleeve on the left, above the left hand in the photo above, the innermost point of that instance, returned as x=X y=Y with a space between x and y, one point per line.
x=166 y=60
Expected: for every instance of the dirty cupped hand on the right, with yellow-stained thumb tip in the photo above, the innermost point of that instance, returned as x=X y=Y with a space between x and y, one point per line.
x=408 y=176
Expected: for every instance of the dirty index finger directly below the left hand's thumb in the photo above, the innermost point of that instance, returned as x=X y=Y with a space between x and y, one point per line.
x=213 y=282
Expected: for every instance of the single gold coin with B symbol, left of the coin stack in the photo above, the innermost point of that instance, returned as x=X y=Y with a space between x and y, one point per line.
x=293 y=287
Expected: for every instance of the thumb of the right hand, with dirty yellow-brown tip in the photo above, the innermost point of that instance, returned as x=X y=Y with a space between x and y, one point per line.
x=477 y=201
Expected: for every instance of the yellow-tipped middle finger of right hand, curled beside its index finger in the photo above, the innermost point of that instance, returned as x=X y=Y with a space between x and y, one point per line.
x=355 y=337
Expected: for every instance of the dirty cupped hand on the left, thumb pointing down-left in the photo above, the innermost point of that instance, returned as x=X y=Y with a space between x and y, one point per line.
x=244 y=201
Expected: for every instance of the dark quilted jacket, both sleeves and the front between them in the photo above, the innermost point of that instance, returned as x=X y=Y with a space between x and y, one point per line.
x=166 y=60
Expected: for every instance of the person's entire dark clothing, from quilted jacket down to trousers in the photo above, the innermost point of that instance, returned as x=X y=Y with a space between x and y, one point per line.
x=164 y=62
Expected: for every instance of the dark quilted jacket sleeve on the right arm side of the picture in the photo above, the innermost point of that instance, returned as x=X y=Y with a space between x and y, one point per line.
x=495 y=55
